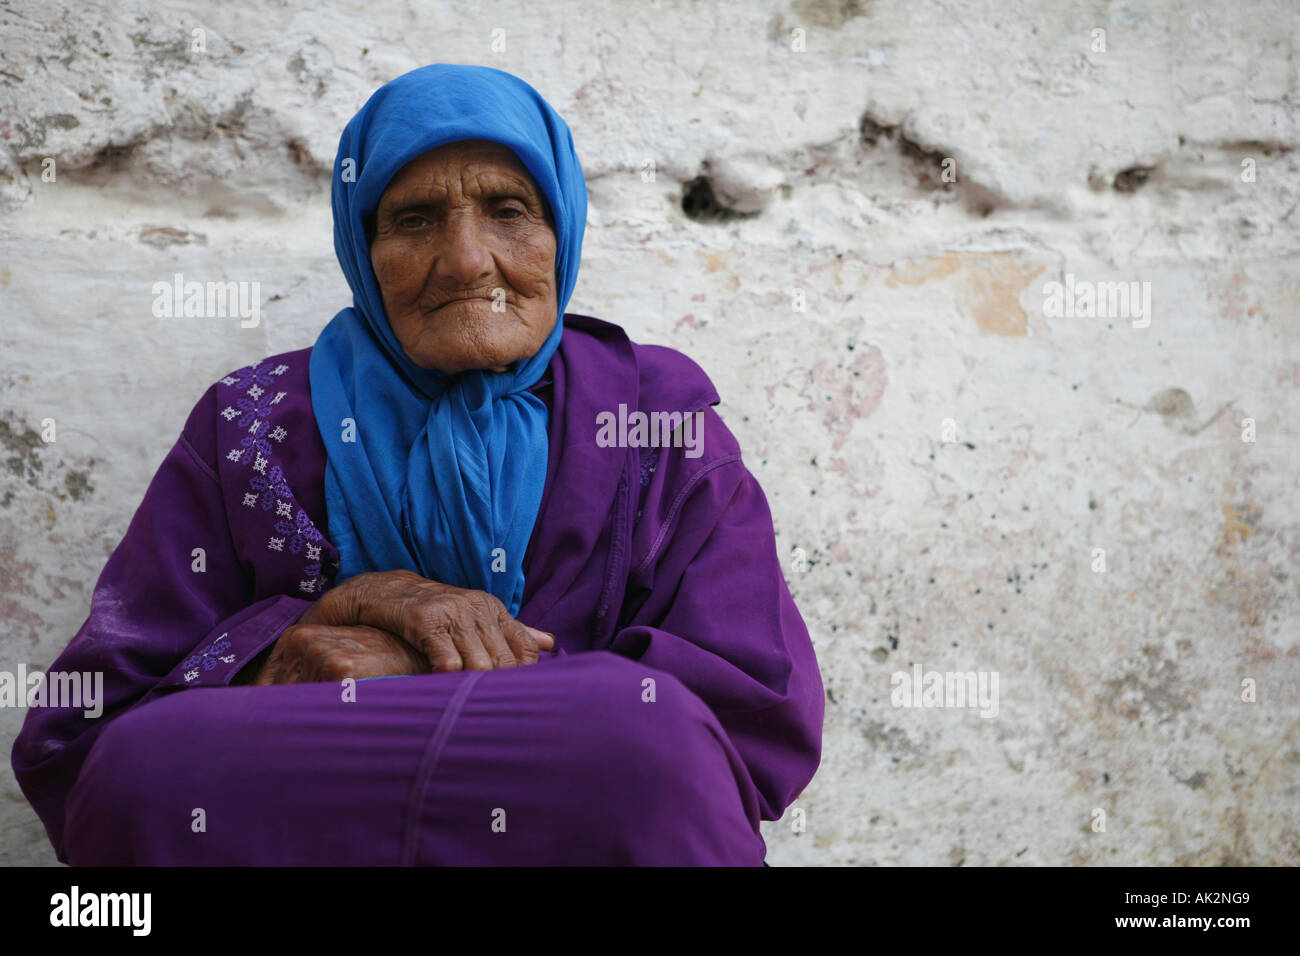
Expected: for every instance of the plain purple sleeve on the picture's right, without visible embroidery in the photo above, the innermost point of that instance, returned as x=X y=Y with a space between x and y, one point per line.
x=709 y=604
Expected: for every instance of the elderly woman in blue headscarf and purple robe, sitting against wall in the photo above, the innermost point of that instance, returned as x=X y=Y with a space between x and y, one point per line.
x=397 y=599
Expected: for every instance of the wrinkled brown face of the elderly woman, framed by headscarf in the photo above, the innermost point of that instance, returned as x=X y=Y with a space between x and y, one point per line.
x=465 y=254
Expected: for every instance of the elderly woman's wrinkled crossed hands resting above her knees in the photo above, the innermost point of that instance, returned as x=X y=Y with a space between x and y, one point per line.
x=397 y=622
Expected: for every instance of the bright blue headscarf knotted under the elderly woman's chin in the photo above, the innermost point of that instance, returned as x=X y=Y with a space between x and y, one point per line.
x=441 y=475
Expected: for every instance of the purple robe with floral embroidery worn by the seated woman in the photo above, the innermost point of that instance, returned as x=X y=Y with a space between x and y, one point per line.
x=682 y=707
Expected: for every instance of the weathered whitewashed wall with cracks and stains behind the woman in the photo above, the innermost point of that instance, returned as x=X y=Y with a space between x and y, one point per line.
x=1167 y=158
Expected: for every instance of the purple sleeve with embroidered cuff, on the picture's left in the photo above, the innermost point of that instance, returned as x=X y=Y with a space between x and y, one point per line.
x=162 y=618
